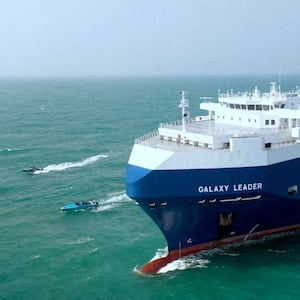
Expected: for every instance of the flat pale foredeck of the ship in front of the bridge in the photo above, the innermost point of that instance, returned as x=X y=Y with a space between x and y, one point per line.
x=208 y=134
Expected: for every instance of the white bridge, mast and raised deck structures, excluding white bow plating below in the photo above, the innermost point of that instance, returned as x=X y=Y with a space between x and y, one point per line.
x=273 y=115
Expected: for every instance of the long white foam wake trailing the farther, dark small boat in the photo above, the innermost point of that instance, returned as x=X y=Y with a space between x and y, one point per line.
x=68 y=165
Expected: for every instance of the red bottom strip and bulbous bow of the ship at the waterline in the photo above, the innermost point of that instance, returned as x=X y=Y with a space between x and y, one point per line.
x=152 y=267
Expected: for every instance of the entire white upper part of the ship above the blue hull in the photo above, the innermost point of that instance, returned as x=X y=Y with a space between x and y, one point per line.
x=241 y=129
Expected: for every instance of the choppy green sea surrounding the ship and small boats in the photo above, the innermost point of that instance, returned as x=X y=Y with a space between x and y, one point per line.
x=81 y=130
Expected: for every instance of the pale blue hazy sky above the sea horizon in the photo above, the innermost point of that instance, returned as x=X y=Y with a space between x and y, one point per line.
x=149 y=37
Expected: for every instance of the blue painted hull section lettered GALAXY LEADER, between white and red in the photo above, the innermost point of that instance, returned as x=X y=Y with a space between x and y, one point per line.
x=199 y=209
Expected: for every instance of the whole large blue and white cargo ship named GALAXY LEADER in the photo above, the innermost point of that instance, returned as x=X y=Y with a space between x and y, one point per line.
x=229 y=175
